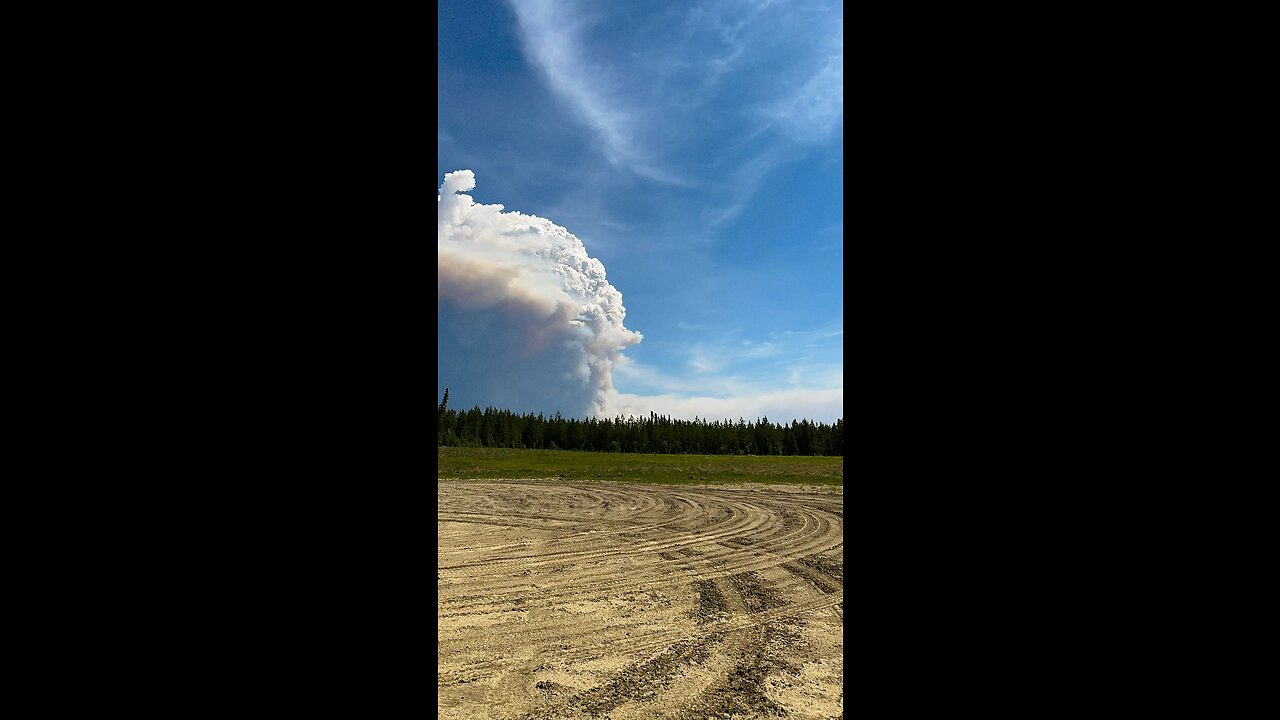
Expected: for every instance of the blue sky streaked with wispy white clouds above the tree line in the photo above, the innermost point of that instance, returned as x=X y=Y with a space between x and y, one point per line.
x=697 y=152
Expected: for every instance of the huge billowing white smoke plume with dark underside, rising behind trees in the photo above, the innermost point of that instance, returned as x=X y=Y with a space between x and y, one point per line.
x=528 y=322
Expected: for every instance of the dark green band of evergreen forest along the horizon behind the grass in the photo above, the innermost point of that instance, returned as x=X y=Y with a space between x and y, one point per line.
x=656 y=434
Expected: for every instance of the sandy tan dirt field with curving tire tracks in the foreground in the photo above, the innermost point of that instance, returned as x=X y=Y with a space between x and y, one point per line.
x=629 y=601
